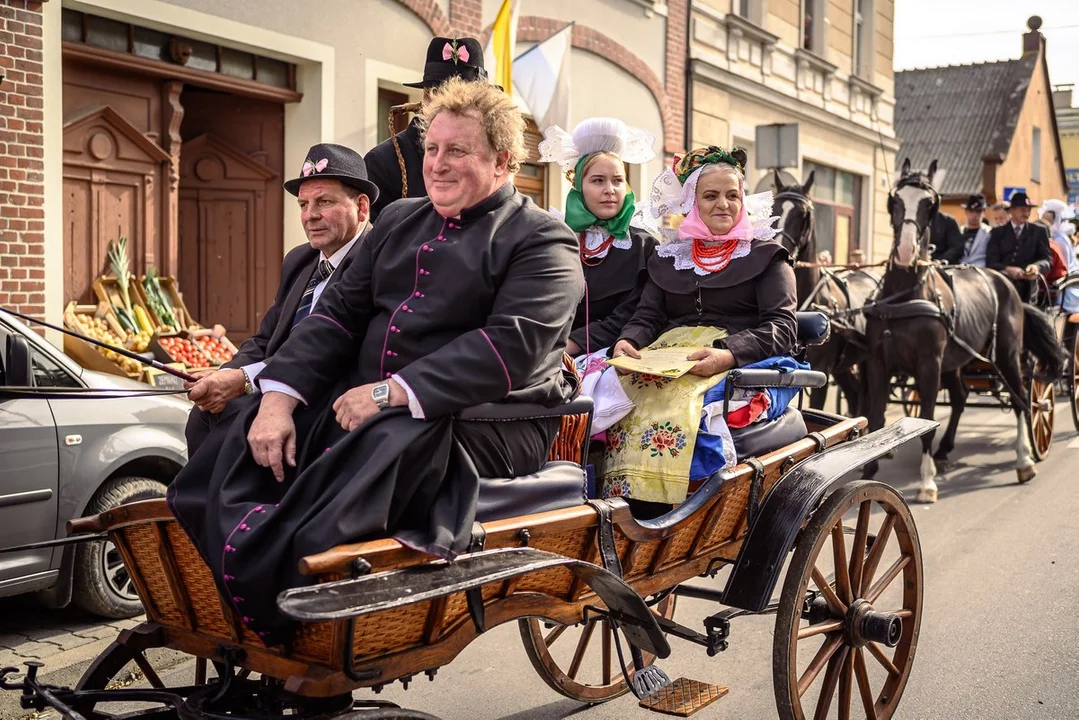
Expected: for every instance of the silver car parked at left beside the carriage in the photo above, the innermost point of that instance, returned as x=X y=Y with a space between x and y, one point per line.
x=63 y=457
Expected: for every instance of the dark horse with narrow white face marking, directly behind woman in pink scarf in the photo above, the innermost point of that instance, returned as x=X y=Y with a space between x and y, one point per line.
x=836 y=294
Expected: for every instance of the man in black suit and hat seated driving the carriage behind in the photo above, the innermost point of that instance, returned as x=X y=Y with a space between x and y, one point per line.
x=1020 y=249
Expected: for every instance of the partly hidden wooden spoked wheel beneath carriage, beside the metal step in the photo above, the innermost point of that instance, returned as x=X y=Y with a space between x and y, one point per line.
x=581 y=661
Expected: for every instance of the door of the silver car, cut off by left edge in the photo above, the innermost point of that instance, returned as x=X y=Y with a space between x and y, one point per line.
x=30 y=481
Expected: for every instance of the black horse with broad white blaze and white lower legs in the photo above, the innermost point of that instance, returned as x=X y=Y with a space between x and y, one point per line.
x=930 y=327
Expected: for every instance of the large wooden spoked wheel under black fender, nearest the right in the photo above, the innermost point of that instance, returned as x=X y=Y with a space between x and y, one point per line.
x=845 y=648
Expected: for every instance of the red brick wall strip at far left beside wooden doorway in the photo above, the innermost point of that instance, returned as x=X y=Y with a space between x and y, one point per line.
x=22 y=166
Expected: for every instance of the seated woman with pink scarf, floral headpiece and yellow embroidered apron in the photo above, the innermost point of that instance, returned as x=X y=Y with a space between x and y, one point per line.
x=722 y=289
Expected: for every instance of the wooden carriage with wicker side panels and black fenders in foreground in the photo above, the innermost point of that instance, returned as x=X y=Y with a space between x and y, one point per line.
x=380 y=613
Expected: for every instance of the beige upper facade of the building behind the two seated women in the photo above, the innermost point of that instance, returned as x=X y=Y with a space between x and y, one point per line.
x=753 y=72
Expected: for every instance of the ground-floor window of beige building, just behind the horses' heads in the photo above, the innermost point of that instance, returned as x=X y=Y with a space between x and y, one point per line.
x=838 y=203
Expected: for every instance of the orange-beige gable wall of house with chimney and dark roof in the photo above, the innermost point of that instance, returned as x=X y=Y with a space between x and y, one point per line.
x=1017 y=171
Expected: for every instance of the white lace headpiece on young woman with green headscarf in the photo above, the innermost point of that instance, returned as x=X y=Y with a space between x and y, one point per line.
x=596 y=135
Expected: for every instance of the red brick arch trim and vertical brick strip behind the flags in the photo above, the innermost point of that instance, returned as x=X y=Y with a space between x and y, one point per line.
x=670 y=92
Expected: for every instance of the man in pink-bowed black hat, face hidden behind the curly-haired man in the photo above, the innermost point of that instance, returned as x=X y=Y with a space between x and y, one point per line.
x=447 y=58
